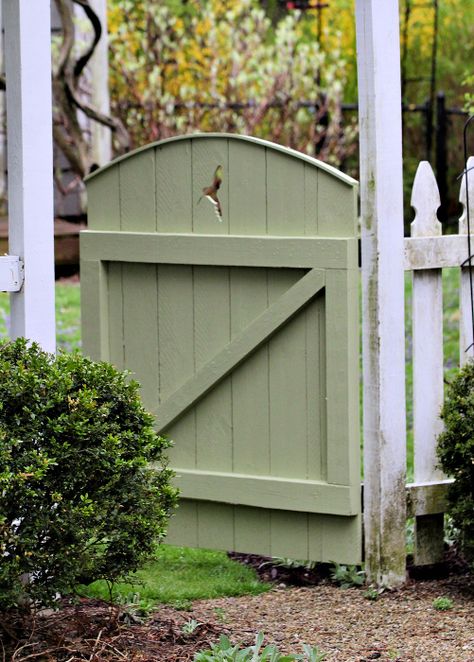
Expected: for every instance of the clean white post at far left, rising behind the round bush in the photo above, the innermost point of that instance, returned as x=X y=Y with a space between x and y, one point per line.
x=30 y=166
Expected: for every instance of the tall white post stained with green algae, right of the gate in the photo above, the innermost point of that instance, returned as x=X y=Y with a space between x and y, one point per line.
x=378 y=54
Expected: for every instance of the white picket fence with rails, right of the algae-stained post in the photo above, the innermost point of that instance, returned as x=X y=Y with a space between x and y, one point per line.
x=427 y=252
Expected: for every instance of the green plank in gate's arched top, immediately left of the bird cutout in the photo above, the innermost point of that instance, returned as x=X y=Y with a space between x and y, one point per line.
x=174 y=200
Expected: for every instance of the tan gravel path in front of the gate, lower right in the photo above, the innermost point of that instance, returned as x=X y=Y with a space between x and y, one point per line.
x=401 y=625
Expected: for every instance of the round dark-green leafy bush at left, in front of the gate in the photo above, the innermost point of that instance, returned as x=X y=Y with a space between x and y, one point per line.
x=78 y=498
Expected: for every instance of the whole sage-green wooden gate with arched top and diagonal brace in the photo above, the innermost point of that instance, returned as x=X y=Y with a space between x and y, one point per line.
x=243 y=333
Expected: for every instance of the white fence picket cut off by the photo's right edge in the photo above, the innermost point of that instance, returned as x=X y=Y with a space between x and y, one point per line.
x=465 y=331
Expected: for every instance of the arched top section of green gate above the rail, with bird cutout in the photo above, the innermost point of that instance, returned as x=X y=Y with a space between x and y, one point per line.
x=265 y=189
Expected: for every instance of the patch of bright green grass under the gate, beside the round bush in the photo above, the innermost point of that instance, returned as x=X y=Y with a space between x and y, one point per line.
x=179 y=575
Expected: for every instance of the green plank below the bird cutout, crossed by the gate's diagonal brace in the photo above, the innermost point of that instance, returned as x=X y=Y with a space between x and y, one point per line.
x=212 y=333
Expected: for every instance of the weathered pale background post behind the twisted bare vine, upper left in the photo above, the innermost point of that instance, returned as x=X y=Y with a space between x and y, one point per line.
x=101 y=136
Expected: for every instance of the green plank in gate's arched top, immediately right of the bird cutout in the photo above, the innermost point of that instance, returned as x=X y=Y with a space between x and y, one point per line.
x=247 y=193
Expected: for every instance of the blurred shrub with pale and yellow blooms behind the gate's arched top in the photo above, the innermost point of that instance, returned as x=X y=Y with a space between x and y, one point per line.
x=223 y=67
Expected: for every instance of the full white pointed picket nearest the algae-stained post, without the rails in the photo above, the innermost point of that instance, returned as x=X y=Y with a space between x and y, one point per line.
x=428 y=389
